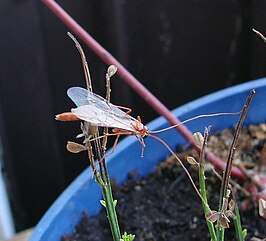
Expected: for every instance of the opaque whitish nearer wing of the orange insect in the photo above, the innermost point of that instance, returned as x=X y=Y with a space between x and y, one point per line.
x=99 y=117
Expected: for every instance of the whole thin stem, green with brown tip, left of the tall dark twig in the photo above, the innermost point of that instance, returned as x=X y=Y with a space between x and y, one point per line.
x=202 y=185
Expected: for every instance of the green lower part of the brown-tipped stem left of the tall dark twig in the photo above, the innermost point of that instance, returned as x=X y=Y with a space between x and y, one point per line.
x=205 y=205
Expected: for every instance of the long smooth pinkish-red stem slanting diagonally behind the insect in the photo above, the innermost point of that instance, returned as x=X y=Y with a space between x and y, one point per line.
x=133 y=82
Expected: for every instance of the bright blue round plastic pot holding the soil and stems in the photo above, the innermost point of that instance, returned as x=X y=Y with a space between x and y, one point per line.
x=84 y=193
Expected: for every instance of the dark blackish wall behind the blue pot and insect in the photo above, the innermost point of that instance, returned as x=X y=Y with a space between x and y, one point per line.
x=179 y=49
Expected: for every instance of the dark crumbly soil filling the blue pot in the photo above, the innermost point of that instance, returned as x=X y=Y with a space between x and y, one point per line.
x=164 y=206
